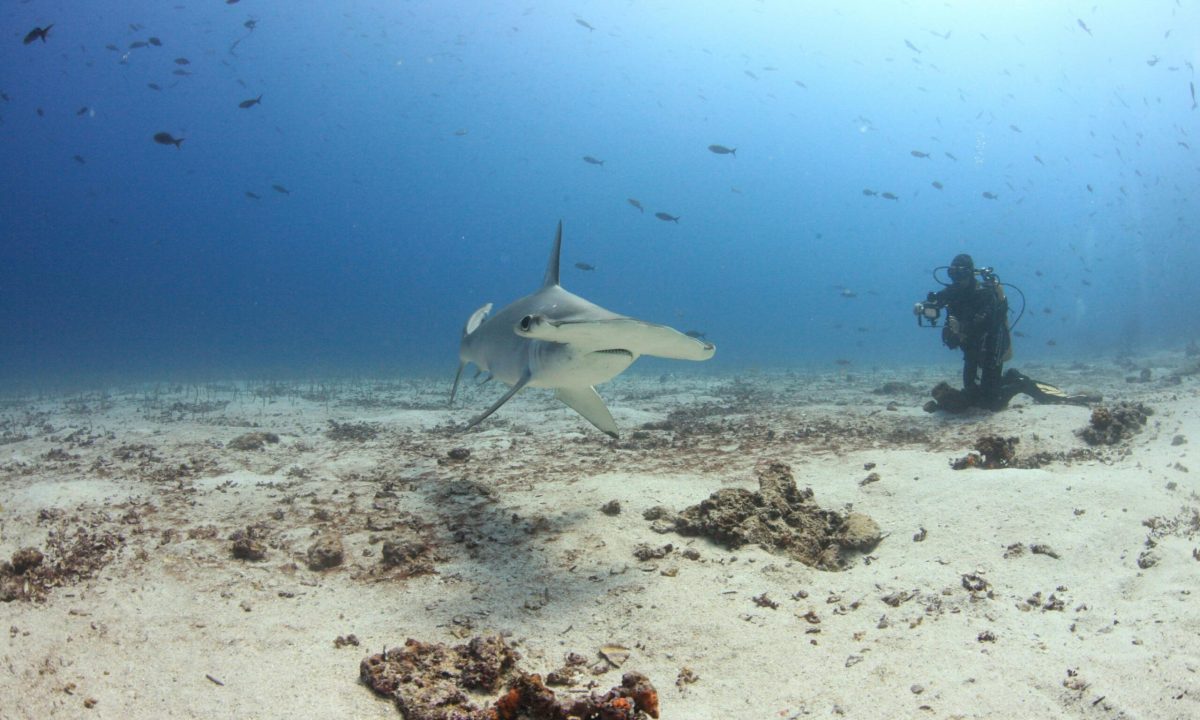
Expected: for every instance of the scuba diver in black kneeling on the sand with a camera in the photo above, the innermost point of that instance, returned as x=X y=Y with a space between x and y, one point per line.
x=977 y=323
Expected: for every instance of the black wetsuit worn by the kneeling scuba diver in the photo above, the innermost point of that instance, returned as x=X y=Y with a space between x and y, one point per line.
x=982 y=314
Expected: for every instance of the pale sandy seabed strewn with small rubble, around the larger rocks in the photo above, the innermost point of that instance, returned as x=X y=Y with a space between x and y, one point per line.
x=238 y=550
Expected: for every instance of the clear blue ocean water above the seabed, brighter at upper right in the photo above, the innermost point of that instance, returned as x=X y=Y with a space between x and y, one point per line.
x=428 y=151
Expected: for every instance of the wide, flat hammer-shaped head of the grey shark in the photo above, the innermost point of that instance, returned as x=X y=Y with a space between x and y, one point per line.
x=637 y=337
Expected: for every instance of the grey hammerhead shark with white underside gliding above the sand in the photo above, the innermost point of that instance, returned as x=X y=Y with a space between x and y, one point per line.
x=555 y=339
